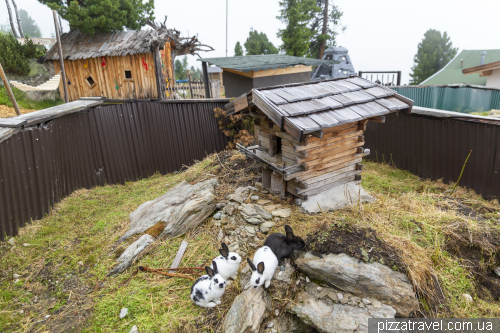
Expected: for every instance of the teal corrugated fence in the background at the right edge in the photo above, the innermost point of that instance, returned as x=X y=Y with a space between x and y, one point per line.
x=458 y=99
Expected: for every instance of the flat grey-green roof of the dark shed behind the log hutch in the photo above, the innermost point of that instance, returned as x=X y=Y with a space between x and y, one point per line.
x=264 y=62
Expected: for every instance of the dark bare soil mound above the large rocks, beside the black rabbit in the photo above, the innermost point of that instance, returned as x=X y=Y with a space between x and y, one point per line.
x=355 y=241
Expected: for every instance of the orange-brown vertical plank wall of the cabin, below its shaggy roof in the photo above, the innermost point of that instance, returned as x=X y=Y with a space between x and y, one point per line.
x=141 y=86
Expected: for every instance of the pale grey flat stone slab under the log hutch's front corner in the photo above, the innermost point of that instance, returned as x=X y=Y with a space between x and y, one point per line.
x=335 y=198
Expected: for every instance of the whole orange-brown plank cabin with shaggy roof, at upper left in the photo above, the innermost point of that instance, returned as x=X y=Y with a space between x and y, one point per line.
x=116 y=65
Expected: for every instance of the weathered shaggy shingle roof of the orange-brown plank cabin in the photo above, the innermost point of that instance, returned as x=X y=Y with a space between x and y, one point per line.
x=78 y=45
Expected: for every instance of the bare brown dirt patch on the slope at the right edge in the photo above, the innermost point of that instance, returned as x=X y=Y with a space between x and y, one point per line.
x=478 y=249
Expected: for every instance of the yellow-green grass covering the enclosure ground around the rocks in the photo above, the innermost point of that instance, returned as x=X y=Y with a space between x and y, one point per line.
x=85 y=226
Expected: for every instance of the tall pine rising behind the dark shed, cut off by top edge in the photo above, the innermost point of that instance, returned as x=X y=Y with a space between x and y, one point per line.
x=297 y=15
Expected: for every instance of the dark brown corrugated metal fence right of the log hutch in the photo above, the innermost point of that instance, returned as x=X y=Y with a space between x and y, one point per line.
x=436 y=148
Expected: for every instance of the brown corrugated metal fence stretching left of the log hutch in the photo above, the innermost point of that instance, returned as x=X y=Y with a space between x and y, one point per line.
x=112 y=144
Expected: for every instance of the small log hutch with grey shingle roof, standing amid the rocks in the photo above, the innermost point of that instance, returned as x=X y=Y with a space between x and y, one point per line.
x=309 y=136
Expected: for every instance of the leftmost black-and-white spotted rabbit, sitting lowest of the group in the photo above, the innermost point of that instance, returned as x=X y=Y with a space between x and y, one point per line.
x=208 y=289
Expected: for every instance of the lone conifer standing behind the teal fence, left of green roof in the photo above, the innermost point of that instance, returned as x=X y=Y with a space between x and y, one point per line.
x=434 y=52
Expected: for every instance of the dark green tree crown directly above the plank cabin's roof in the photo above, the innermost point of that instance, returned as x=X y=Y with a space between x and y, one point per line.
x=91 y=16
